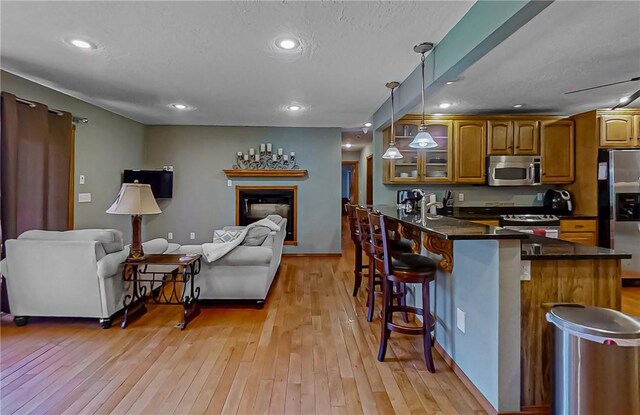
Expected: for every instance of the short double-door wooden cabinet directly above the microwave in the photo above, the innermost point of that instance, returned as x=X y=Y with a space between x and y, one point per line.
x=519 y=137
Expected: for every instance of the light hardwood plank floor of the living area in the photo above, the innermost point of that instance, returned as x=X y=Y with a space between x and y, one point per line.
x=310 y=350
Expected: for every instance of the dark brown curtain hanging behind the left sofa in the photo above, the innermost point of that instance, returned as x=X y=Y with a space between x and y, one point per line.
x=34 y=168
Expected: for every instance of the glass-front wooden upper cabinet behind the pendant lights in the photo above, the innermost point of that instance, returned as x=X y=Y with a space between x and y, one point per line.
x=432 y=165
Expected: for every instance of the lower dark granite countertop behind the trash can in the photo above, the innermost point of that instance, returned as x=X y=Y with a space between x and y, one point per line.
x=538 y=247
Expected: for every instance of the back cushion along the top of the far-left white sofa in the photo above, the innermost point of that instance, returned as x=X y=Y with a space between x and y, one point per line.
x=110 y=239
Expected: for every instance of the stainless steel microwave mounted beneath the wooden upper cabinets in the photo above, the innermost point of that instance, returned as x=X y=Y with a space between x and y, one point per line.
x=514 y=171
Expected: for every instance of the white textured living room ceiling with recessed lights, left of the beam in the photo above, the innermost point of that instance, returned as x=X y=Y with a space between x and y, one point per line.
x=220 y=56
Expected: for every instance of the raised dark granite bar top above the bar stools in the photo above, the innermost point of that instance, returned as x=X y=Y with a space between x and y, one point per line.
x=447 y=227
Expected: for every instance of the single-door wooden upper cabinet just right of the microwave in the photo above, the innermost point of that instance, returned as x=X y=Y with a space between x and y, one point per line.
x=557 y=151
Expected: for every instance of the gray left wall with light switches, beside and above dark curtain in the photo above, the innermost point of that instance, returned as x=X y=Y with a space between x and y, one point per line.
x=103 y=148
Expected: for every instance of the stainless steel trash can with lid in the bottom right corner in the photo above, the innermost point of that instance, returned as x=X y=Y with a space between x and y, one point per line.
x=596 y=361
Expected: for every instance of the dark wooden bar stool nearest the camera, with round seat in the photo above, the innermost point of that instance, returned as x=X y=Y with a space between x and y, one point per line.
x=403 y=269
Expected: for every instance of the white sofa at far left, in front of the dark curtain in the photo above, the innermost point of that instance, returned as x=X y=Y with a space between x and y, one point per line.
x=74 y=273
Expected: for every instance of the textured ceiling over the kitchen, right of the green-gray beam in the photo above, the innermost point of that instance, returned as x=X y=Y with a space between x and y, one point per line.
x=568 y=46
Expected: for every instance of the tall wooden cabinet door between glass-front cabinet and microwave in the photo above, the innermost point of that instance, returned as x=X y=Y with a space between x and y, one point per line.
x=470 y=151
